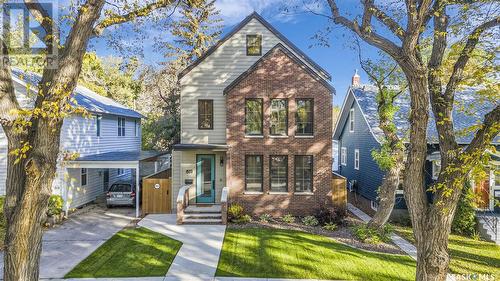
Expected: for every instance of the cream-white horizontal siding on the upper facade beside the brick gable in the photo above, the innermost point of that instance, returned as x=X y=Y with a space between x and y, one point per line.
x=209 y=78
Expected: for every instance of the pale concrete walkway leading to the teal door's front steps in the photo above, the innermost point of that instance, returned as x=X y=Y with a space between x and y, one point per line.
x=199 y=255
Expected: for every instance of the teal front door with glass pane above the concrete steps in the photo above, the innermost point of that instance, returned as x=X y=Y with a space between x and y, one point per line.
x=205 y=178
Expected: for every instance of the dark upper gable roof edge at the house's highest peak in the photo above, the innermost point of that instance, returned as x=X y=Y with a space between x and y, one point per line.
x=238 y=27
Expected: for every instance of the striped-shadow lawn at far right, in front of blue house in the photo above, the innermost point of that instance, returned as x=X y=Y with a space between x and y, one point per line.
x=468 y=256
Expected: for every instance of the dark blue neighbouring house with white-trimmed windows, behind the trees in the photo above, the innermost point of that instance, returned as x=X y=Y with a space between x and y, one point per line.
x=358 y=133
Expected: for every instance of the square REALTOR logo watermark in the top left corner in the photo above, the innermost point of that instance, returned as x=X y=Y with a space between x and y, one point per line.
x=29 y=43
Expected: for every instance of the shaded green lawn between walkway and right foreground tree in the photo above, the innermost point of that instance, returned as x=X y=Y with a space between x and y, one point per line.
x=273 y=253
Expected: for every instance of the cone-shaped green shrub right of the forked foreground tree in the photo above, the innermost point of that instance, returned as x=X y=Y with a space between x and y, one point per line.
x=464 y=222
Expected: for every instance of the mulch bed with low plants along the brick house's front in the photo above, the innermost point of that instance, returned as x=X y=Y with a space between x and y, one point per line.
x=342 y=234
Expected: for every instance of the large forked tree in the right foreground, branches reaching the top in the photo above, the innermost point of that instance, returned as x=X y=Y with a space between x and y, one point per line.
x=404 y=29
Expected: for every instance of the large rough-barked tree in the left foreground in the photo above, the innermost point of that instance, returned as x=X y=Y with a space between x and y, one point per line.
x=34 y=134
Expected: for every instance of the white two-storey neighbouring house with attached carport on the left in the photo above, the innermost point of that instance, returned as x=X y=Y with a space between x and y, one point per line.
x=95 y=151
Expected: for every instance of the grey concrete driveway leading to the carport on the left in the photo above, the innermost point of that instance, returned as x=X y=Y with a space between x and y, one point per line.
x=68 y=244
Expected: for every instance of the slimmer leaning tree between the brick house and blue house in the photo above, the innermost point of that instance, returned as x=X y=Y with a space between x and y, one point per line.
x=390 y=84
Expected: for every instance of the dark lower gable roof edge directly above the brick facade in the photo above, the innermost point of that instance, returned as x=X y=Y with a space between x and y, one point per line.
x=287 y=52
